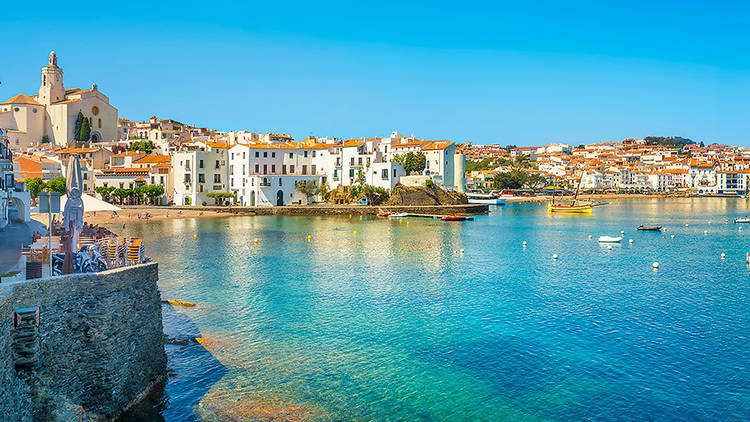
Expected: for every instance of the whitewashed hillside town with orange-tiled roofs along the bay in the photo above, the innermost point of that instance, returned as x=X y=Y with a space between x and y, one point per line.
x=163 y=161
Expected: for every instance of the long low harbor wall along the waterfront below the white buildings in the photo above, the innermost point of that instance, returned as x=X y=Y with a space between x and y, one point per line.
x=335 y=209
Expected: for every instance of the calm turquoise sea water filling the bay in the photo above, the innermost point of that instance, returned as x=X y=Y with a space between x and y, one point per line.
x=401 y=325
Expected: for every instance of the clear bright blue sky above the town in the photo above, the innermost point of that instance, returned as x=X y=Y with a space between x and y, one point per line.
x=522 y=73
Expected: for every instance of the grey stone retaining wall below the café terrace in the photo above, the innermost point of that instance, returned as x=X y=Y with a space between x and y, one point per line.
x=100 y=345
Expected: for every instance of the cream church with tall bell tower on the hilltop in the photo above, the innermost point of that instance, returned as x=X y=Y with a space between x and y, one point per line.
x=50 y=115
